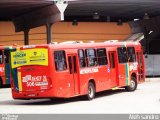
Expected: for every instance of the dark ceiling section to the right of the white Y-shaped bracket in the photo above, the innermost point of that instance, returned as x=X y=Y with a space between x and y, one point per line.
x=112 y=10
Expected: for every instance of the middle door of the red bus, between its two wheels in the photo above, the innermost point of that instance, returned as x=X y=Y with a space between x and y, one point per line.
x=113 y=72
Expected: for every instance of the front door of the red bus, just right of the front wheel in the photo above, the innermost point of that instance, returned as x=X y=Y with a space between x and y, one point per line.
x=140 y=66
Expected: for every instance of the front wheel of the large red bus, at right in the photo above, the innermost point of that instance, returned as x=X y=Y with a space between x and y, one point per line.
x=132 y=86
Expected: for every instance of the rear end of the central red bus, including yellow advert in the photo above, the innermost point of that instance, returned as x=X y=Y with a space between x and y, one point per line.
x=30 y=73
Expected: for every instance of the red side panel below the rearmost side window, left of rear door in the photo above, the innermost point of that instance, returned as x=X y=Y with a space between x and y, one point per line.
x=60 y=79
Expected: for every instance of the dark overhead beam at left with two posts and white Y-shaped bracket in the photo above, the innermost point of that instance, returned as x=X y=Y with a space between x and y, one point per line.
x=30 y=14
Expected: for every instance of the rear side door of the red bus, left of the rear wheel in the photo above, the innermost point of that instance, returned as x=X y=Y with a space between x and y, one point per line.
x=72 y=62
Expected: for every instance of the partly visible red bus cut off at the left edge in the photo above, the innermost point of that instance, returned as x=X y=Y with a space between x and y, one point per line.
x=5 y=75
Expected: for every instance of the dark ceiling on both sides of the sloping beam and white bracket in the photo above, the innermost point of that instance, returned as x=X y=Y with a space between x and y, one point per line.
x=83 y=10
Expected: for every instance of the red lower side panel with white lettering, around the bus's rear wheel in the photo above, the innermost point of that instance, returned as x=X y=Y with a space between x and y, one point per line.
x=100 y=75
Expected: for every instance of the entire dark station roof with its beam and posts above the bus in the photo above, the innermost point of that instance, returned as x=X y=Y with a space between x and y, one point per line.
x=27 y=14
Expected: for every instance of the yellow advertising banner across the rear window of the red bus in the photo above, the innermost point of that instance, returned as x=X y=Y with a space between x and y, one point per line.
x=36 y=56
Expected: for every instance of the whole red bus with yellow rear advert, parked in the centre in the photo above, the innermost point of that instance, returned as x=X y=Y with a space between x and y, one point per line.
x=69 y=70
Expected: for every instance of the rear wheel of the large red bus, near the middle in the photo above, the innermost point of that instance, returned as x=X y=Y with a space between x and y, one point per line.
x=91 y=91
